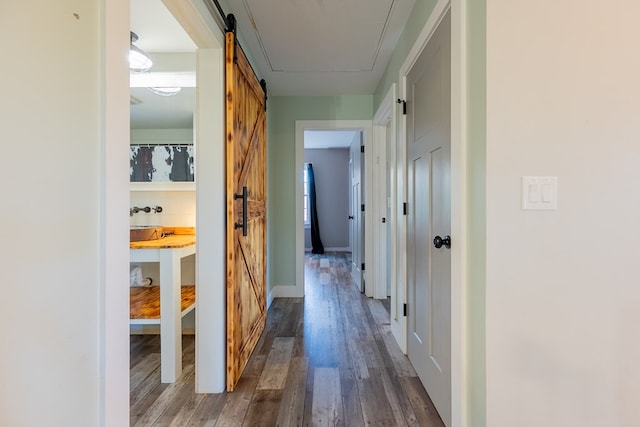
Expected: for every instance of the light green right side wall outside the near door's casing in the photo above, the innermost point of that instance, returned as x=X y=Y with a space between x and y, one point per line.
x=476 y=195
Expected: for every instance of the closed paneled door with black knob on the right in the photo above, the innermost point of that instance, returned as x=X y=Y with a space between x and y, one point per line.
x=429 y=217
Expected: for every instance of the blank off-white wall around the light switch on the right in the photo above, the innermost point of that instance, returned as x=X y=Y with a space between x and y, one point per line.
x=563 y=99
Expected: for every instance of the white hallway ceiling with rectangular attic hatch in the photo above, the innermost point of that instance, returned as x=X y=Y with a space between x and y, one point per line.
x=321 y=47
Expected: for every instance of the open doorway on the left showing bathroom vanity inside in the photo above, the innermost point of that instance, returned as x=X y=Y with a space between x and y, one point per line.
x=162 y=195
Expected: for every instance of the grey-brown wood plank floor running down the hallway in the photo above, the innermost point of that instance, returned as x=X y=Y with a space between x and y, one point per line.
x=326 y=360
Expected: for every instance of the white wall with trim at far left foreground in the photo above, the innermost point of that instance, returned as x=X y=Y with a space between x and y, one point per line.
x=63 y=357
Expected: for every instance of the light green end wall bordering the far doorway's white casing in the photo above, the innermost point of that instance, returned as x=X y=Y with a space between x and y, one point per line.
x=282 y=113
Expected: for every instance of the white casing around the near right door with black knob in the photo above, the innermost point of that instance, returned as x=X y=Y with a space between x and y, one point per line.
x=459 y=347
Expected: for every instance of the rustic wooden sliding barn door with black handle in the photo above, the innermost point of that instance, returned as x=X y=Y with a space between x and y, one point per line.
x=246 y=210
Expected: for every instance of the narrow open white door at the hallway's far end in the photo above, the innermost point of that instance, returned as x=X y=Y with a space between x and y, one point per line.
x=356 y=216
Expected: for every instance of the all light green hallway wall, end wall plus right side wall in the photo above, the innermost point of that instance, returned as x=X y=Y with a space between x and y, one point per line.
x=284 y=111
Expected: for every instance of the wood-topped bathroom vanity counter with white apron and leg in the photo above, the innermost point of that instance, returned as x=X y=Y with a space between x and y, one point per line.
x=168 y=252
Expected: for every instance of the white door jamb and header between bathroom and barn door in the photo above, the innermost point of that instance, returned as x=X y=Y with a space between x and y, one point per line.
x=203 y=29
